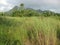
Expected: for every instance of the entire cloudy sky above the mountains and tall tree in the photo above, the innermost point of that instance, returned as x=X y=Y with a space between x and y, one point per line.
x=53 y=5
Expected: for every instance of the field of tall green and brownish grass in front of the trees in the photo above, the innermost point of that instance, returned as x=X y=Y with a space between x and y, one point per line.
x=29 y=31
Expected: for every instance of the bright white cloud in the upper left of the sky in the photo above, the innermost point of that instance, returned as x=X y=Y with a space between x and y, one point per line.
x=5 y=5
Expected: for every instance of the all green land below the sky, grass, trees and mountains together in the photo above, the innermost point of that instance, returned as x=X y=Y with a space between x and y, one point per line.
x=29 y=27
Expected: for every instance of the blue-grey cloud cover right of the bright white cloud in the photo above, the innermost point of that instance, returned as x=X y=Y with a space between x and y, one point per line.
x=36 y=4
